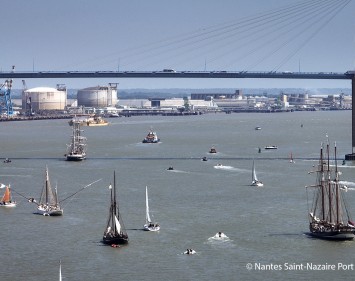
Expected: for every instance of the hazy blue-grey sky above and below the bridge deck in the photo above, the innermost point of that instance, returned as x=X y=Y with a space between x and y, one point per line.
x=185 y=35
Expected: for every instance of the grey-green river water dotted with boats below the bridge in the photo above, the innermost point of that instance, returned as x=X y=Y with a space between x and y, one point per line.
x=265 y=225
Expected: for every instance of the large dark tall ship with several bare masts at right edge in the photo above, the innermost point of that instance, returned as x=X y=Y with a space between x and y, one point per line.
x=329 y=217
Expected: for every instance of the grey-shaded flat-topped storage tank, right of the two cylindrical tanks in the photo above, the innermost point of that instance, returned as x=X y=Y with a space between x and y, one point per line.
x=99 y=96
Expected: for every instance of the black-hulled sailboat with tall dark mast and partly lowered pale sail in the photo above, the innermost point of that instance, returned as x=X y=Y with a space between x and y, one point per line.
x=115 y=232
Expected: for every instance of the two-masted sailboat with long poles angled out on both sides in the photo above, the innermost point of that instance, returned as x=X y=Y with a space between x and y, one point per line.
x=48 y=204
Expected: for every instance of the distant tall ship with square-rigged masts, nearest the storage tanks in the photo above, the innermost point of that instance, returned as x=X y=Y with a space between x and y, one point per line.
x=77 y=147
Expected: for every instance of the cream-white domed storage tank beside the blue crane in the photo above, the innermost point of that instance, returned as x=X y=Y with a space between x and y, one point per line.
x=44 y=98
